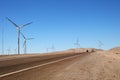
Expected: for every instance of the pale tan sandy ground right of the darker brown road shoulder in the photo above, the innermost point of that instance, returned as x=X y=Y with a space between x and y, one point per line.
x=96 y=66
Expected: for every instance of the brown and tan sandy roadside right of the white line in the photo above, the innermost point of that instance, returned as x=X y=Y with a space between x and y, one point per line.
x=94 y=66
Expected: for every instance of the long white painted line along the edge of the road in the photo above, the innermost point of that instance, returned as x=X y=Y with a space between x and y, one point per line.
x=7 y=74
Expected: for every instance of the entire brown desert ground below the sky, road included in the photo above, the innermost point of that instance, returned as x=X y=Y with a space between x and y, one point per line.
x=97 y=65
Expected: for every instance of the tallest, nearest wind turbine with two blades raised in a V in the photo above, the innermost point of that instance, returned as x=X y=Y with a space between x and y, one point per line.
x=19 y=30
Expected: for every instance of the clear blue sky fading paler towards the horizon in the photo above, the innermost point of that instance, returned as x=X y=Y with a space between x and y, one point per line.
x=60 y=23
